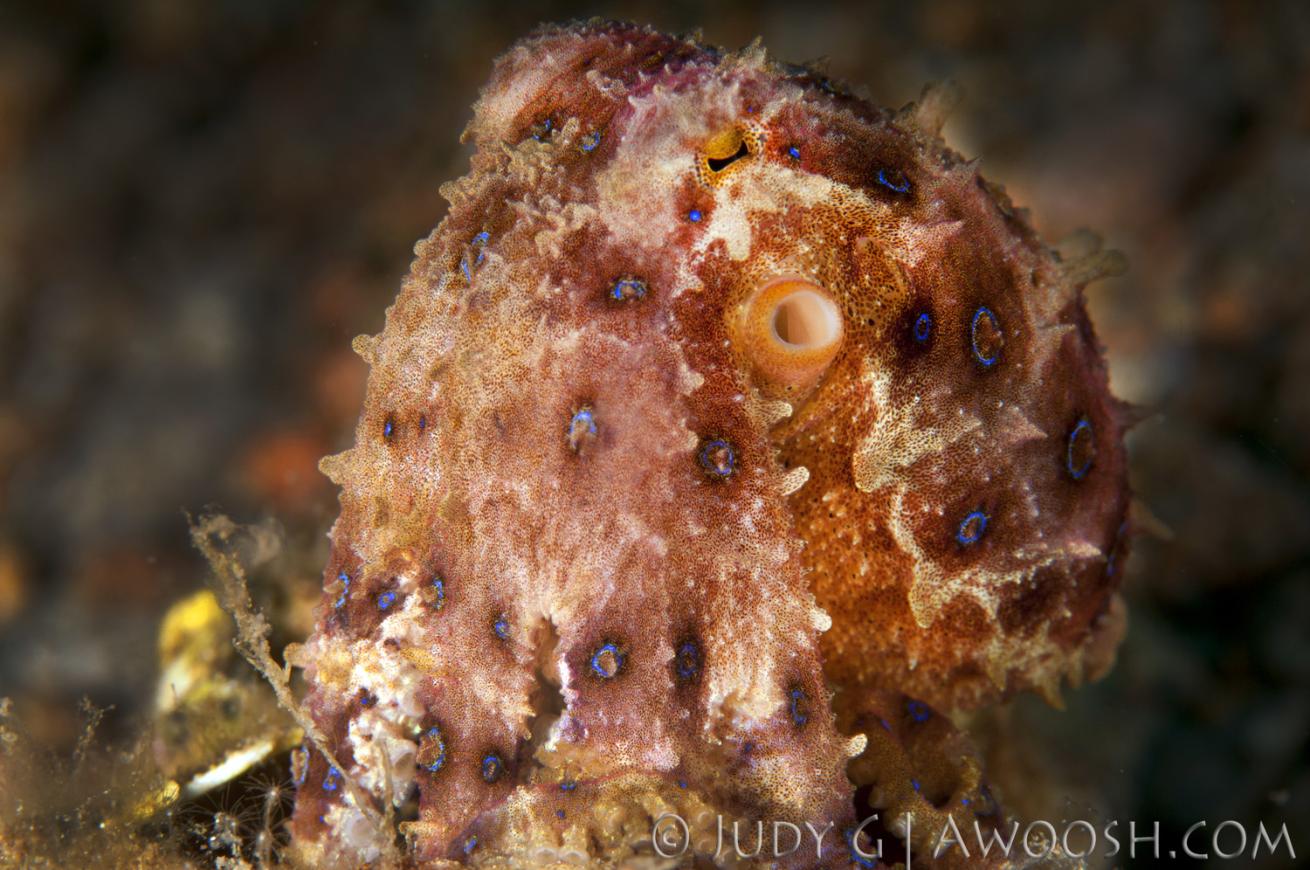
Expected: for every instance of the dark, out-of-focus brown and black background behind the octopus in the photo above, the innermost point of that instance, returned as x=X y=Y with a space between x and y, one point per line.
x=201 y=204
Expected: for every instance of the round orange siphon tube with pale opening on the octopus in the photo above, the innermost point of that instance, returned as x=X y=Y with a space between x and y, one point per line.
x=791 y=331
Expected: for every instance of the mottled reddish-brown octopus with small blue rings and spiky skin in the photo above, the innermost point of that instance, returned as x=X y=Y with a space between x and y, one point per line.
x=725 y=432
